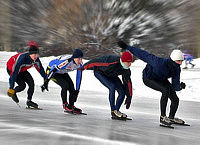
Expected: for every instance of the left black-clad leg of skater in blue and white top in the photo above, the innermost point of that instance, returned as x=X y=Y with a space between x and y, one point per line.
x=64 y=86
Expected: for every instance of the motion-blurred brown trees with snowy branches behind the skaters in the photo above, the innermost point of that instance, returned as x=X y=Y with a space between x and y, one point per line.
x=96 y=26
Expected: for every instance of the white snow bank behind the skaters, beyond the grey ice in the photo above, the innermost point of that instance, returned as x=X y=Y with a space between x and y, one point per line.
x=190 y=76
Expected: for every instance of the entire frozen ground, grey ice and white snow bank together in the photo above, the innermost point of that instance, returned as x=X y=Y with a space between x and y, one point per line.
x=51 y=126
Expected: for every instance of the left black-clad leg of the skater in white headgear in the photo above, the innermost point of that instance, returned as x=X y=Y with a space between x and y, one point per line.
x=164 y=88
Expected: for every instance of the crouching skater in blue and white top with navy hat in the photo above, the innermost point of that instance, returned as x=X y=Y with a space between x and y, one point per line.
x=57 y=70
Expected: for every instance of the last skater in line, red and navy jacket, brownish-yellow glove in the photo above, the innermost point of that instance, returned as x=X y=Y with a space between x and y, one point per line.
x=17 y=67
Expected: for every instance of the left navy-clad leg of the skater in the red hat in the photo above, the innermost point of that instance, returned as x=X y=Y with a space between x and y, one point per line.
x=107 y=82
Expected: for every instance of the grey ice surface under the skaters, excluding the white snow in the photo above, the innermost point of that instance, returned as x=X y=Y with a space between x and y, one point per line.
x=51 y=126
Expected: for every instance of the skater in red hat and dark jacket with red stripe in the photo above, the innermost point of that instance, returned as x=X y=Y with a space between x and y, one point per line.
x=106 y=70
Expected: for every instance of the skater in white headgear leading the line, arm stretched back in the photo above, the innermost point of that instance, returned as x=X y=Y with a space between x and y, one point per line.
x=156 y=74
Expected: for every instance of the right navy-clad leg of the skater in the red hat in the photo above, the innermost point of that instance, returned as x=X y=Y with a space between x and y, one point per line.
x=120 y=90
